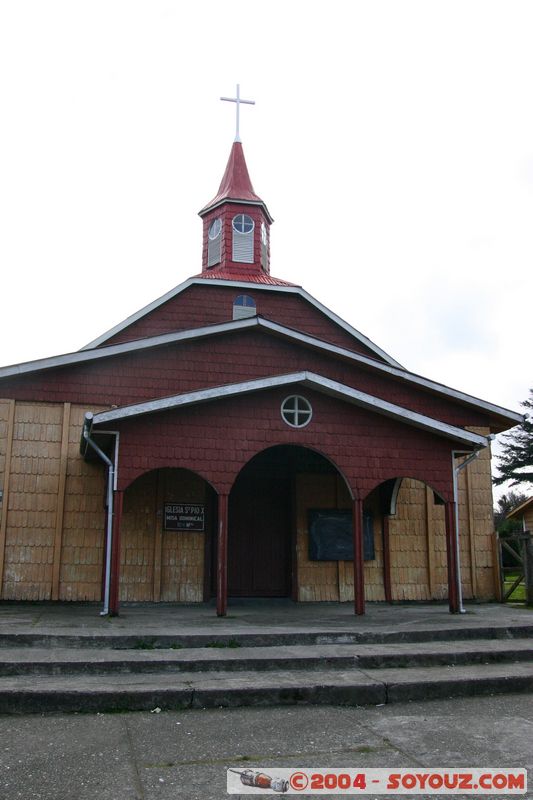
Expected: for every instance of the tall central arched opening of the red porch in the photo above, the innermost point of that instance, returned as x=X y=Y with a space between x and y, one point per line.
x=270 y=516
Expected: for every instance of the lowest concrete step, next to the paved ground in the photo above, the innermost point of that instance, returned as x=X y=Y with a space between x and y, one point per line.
x=38 y=694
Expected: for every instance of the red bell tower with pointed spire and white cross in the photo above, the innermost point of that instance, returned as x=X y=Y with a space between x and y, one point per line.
x=236 y=223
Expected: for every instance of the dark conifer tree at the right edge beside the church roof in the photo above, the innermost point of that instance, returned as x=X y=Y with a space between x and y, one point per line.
x=516 y=461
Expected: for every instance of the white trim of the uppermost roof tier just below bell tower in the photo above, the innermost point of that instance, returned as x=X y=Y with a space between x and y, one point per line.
x=242 y=285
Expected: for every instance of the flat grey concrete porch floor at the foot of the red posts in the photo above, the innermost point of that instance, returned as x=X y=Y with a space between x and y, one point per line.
x=252 y=616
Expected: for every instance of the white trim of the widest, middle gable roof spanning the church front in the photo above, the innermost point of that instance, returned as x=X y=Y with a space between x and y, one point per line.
x=139 y=345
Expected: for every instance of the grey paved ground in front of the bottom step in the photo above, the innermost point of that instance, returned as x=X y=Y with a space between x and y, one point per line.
x=184 y=754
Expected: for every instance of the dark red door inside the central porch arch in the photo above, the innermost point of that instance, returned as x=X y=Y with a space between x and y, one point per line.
x=259 y=534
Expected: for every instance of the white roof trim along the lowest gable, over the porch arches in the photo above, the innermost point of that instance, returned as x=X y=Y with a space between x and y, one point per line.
x=312 y=381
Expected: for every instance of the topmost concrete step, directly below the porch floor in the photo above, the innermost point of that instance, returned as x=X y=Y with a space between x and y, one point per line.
x=227 y=636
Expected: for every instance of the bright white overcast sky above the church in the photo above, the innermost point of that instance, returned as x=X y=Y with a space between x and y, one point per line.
x=392 y=142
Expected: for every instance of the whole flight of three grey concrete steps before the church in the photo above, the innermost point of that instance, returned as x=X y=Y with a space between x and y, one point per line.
x=54 y=672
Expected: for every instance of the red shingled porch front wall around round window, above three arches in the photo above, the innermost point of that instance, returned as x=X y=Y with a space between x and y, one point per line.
x=366 y=447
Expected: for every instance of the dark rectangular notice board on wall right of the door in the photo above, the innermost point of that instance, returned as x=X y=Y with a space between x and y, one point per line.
x=331 y=535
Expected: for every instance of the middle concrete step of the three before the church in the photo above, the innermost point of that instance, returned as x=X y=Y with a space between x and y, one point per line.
x=102 y=661
